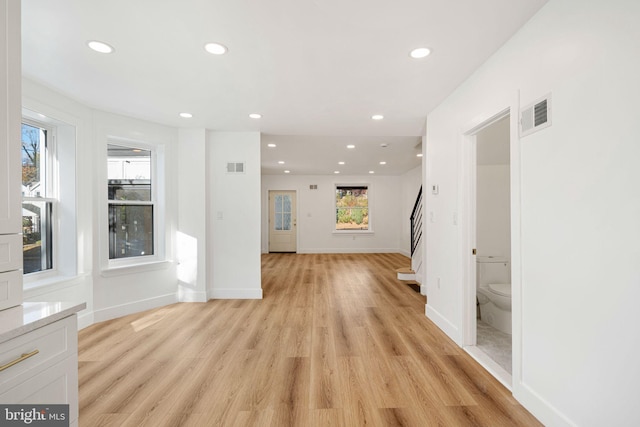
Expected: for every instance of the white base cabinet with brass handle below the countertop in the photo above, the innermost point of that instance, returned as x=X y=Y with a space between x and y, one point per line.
x=47 y=368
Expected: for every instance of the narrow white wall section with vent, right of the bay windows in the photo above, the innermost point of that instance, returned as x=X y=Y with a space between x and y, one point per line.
x=234 y=235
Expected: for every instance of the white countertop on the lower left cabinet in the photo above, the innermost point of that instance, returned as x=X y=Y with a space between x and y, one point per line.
x=25 y=318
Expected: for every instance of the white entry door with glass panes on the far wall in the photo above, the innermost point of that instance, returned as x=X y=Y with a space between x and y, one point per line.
x=282 y=221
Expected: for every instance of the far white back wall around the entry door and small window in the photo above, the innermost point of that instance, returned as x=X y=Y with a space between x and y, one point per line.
x=316 y=213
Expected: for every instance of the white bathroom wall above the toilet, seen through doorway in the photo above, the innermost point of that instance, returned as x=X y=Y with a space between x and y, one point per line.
x=493 y=210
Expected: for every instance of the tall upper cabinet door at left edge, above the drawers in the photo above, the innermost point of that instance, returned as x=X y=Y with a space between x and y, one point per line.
x=10 y=118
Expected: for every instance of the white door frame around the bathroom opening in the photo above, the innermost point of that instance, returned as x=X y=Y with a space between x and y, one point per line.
x=467 y=236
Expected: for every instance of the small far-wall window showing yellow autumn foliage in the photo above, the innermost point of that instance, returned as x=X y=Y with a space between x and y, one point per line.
x=352 y=207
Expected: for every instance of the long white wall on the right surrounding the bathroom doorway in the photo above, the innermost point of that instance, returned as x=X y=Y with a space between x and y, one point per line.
x=577 y=276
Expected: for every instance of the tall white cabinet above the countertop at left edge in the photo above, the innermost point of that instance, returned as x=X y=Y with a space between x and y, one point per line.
x=10 y=165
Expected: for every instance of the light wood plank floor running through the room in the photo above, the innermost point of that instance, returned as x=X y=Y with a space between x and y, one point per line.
x=336 y=341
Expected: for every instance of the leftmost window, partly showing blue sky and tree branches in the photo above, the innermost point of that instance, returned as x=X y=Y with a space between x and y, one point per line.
x=38 y=197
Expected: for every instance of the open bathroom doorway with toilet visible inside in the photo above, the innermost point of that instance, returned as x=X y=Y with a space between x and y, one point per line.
x=488 y=333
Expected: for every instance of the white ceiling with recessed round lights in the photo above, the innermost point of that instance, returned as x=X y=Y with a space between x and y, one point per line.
x=315 y=69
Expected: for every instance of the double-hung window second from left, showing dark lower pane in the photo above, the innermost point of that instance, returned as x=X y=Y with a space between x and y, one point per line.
x=131 y=202
